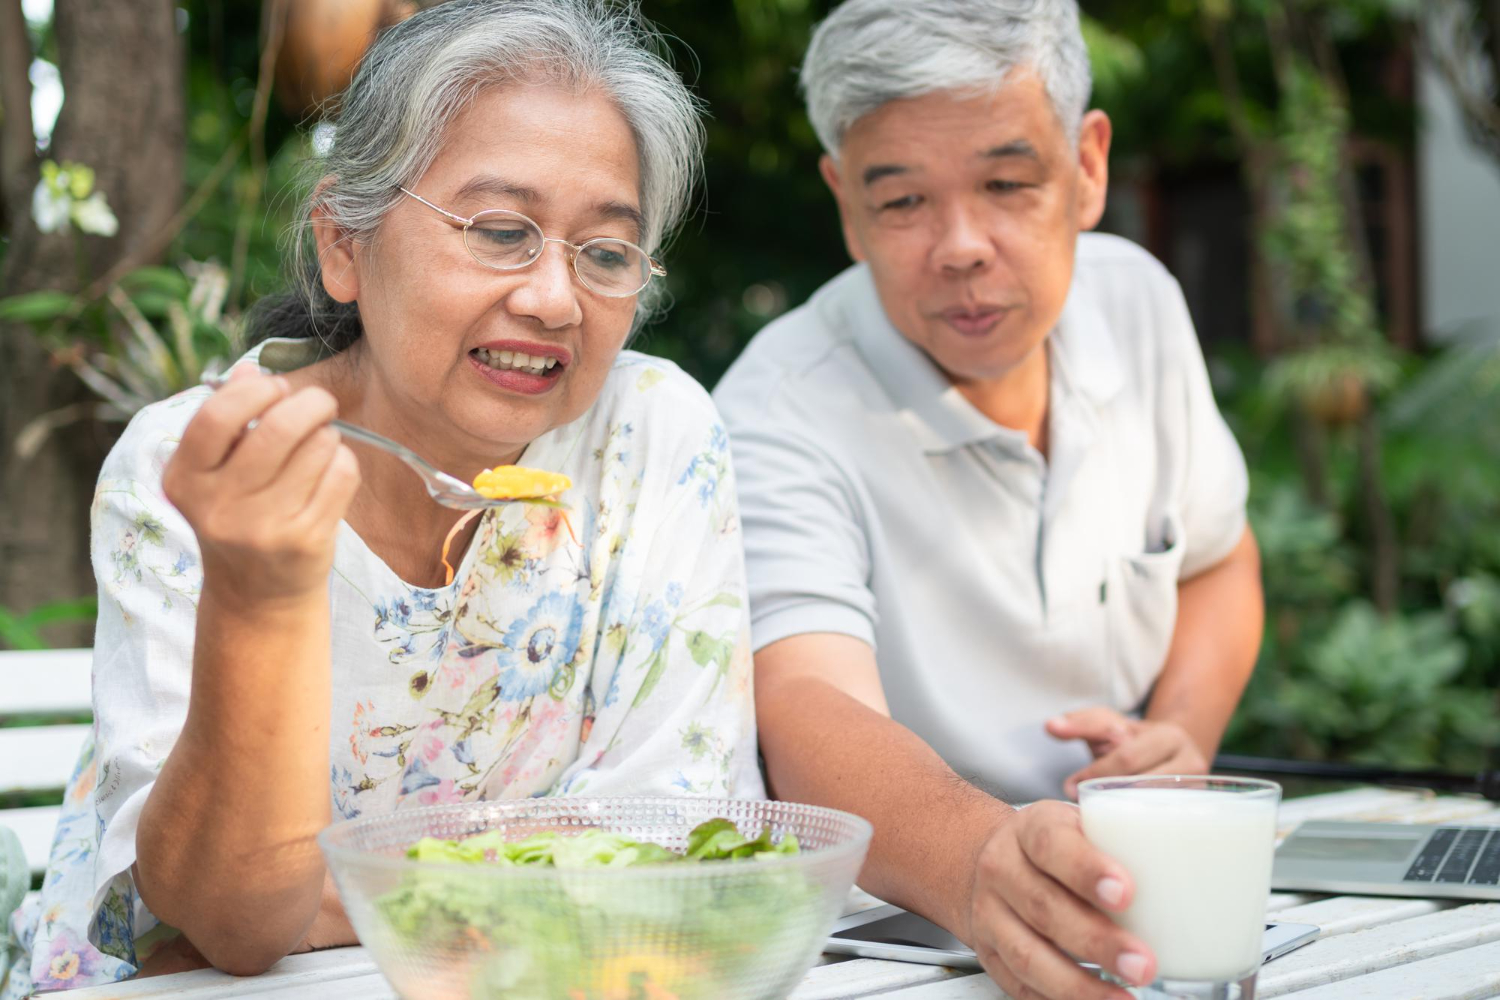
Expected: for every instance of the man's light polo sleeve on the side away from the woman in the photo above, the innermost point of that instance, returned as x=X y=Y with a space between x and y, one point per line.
x=1214 y=484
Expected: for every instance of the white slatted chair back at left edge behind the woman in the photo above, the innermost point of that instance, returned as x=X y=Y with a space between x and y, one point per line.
x=38 y=759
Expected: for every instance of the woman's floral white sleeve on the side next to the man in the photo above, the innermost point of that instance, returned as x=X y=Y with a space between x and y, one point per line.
x=673 y=687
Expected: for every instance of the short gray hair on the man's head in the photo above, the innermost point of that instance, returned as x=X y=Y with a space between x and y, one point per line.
x=869 y=53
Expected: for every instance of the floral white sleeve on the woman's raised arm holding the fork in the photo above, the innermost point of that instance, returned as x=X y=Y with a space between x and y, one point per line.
x=146 y=563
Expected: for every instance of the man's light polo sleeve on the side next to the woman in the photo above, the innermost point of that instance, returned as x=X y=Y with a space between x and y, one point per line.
x=808 y=551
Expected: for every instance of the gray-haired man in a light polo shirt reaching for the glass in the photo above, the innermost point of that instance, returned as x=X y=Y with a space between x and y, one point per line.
x=995 y=524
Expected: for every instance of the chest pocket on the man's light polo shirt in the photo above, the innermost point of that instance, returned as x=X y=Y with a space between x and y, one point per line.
x=1142 y=611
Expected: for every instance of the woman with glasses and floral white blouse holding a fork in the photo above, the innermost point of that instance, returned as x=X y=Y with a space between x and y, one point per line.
x=278 y=645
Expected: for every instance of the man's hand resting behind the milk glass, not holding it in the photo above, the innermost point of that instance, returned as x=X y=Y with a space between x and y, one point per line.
x=1124 y=746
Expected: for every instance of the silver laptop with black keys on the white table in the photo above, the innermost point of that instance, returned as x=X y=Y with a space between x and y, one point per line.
x=1390 y=860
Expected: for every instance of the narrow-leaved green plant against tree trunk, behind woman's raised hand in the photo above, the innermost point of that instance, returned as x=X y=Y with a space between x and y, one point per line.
x=133 y=364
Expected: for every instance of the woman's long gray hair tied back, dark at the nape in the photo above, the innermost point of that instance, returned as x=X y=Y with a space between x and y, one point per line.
x=424 y=73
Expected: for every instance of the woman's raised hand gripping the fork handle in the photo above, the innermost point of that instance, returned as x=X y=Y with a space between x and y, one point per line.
x=265 y=481
